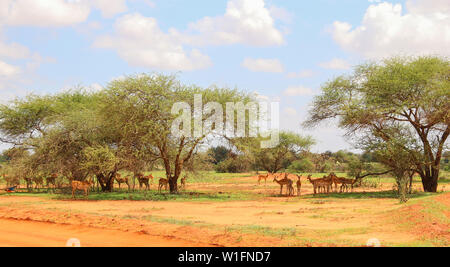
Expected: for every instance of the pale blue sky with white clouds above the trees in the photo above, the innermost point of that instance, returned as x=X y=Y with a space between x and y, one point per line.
x=281 y=50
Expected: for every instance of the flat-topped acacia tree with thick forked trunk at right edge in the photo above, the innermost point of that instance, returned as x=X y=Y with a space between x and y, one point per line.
x=391 y=100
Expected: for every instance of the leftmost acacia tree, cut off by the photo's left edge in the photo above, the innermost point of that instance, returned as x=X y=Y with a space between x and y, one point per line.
x=58 y=130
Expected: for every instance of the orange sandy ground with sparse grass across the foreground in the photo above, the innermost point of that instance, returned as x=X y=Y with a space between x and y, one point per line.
x=271 y=221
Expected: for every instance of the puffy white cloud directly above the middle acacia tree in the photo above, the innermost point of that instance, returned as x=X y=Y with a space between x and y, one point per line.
x=140 y=42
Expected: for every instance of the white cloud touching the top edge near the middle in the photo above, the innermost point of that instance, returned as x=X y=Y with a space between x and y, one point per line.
x=245 y=22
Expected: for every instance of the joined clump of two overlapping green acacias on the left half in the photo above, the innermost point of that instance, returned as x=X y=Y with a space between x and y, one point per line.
x=126 y=126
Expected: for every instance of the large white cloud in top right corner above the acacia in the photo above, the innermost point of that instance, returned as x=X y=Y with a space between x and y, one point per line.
x=388 y=29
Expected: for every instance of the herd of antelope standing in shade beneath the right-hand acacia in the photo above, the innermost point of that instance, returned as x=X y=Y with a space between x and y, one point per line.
x=322 y=185
